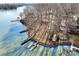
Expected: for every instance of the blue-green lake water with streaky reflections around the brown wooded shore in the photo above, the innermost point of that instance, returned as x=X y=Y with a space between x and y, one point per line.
x=11 y=39
